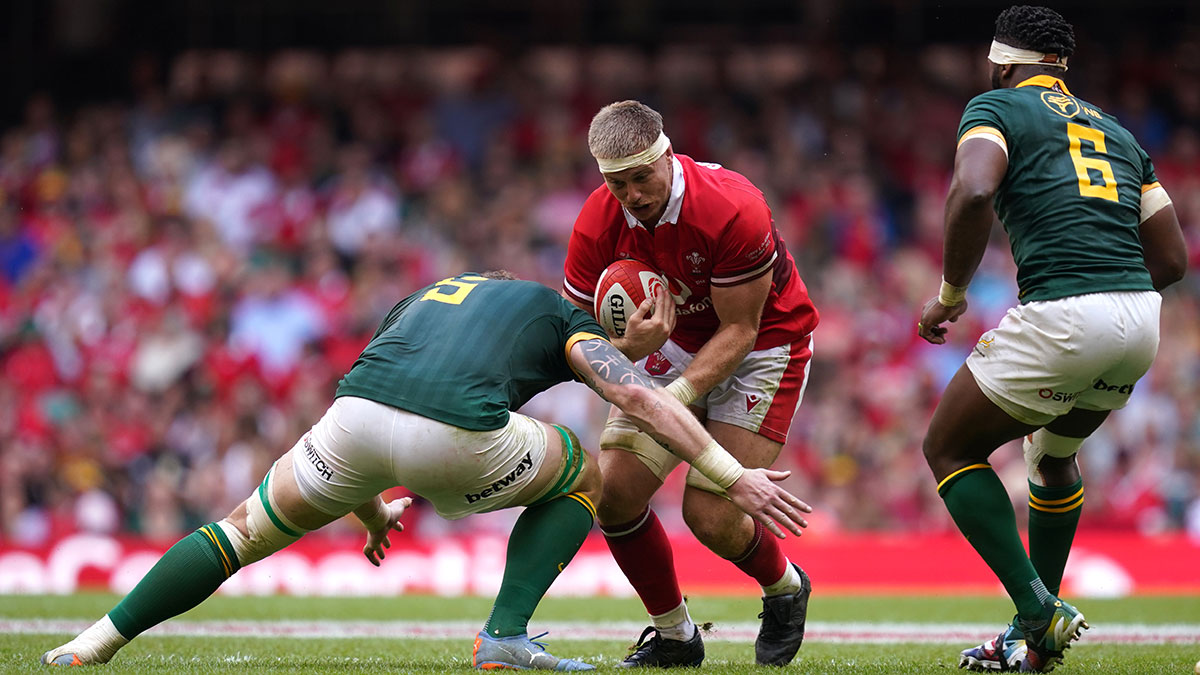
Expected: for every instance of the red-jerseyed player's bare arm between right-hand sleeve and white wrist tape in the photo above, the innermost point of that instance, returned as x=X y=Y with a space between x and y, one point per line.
x=740 y=308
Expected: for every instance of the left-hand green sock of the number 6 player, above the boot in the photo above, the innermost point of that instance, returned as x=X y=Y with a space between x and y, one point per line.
x=981 y=509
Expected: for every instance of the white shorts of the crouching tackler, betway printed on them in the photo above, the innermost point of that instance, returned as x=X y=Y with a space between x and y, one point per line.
x=363 y=447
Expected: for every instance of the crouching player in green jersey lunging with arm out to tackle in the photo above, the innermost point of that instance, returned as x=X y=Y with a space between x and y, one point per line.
x=429 y=405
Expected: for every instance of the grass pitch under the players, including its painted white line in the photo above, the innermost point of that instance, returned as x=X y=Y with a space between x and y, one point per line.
x=255 y=643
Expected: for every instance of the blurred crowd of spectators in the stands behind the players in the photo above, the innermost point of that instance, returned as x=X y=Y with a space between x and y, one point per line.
x=187 y=273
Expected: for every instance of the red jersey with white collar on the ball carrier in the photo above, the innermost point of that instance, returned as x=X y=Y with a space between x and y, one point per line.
x=717 y=231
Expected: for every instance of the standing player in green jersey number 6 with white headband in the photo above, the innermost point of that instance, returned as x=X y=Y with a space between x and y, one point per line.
x=1095 y=238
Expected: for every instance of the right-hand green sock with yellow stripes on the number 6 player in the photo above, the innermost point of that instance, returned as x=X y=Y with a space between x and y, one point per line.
x=1054 y=516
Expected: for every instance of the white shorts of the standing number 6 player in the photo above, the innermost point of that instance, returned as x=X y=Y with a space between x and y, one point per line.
x=1088 y=351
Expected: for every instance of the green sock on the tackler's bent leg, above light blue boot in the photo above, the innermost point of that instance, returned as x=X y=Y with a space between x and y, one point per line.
x=545 y=539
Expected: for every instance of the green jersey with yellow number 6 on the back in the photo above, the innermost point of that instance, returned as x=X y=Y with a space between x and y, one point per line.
x=1071 y=200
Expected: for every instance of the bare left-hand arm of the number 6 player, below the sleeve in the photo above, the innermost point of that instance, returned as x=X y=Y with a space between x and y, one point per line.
x=980 y=168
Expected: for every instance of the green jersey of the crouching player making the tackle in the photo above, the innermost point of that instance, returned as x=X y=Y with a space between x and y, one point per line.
x=469 y=350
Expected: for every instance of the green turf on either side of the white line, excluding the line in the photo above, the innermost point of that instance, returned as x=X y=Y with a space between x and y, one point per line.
x=19 y=654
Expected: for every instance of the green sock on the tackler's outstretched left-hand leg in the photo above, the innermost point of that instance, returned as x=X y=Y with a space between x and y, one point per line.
x=182 y=580
